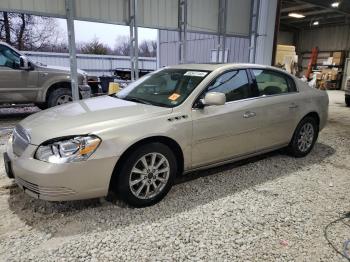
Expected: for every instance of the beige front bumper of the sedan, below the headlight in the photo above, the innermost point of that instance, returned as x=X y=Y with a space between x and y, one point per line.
x=60 y=182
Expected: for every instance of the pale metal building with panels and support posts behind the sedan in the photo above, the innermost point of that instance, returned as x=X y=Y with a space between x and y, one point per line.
x=202 y=29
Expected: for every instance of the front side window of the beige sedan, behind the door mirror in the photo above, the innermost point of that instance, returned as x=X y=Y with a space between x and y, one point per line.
x=233 y=84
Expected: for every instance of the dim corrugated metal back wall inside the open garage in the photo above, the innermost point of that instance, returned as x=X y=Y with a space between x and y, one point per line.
x=326 y=38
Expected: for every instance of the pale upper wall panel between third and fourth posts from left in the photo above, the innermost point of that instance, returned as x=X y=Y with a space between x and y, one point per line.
x=203 y=15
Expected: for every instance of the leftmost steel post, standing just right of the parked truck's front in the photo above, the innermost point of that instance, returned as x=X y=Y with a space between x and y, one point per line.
x=70 y=12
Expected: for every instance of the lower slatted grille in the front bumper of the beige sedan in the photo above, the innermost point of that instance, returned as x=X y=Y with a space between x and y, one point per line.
x=44 y=191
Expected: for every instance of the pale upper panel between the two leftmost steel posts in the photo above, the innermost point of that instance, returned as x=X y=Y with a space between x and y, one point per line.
x=107 y=11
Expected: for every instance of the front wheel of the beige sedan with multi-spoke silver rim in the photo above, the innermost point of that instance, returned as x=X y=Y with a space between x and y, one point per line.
x=147 y=175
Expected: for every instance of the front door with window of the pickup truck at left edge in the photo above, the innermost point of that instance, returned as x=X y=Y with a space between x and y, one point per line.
x=15 y=85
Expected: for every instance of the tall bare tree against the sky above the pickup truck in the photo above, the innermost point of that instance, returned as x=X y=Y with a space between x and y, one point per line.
x=28 y=32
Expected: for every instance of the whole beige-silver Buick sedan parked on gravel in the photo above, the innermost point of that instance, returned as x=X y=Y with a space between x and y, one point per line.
x=173 y=121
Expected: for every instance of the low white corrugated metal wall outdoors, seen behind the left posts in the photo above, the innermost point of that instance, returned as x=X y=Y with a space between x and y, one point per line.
x=93 y=64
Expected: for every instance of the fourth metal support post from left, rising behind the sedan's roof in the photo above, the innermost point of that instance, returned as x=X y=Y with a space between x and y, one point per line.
x=221 y=31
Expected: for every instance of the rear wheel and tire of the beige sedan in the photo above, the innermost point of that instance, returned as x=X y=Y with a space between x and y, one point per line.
x=304 y=137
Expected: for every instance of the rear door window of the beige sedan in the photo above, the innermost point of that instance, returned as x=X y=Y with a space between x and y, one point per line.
x=272 y=83
